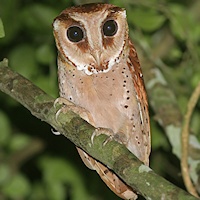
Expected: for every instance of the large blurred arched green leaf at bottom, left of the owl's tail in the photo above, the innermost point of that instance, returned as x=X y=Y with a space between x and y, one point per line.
x=58 y=172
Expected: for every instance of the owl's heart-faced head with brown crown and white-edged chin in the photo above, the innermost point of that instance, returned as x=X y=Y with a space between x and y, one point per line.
x=92 y=37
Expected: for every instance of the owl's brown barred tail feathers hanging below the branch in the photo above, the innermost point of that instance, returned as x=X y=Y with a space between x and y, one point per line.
x=107 y=175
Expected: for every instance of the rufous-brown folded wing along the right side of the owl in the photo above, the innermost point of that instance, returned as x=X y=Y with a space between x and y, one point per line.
x=141 y=96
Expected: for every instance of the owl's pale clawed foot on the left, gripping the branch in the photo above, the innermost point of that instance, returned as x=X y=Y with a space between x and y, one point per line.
x=69 y=106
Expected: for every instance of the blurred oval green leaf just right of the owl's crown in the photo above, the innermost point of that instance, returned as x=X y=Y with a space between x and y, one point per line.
x=147 y=20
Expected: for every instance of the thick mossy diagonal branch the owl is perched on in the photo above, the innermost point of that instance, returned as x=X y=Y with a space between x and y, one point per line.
x=114 y=155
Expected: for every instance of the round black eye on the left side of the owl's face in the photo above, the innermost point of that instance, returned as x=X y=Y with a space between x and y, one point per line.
x=75 y=34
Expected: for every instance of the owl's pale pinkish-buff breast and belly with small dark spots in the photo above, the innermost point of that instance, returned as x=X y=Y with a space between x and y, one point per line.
x=110 y=98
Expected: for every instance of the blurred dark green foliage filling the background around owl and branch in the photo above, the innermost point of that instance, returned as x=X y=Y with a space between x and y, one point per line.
x=34 y=163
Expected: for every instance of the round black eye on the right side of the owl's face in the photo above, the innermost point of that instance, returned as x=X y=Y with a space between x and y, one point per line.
x=110 y=28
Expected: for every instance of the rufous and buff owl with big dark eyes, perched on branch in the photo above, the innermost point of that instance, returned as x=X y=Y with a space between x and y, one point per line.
x=99 y=71
